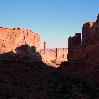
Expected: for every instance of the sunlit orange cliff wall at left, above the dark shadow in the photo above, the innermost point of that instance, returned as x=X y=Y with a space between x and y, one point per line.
x=10 y=39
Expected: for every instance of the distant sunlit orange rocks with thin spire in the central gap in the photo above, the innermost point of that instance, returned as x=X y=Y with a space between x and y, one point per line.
x=54 y=56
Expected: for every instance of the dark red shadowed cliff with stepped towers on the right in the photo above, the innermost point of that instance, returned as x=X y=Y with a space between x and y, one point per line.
x=88 y=47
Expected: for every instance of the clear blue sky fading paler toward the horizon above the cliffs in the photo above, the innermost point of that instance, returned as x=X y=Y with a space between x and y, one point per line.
x=54 y=20
